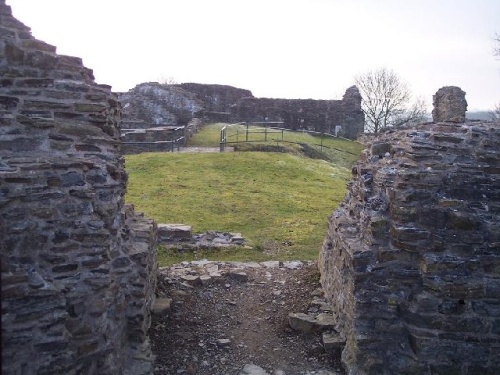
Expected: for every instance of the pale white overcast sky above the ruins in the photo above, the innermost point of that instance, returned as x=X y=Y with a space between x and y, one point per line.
x=278 y=48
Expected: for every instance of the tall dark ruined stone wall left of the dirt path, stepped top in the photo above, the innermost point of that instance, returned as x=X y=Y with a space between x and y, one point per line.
x=78 y=269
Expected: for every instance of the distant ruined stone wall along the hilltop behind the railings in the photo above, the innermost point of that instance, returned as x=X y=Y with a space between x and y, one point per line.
x=152 y=109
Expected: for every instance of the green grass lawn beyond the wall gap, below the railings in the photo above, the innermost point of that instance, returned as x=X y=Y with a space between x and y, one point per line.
x=279 y=202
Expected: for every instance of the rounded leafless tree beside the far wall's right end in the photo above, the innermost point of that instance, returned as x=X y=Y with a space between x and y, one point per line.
x=386 y=100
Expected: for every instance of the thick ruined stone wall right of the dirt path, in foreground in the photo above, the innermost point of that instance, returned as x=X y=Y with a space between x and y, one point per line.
x=411 y=261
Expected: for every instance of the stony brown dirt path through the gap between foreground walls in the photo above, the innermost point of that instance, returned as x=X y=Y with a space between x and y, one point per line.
x=216 y=325
